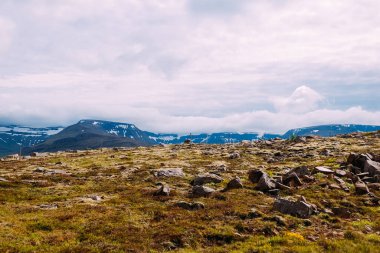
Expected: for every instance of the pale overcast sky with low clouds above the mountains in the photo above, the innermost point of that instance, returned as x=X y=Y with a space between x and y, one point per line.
x=184 y=66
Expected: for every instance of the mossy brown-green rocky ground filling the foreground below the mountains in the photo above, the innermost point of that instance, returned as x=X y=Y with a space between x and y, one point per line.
x=305 y=194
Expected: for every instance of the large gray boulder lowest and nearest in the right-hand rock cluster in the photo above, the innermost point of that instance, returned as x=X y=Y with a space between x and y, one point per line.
x=299 y=208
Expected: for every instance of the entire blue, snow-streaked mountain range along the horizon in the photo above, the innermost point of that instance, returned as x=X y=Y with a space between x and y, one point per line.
x=89 y=134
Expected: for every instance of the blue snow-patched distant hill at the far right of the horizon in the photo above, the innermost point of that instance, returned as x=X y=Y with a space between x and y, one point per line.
x=330 y=130
